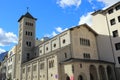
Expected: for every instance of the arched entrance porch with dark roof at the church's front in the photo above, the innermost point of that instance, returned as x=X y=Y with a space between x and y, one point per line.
x=87 y=70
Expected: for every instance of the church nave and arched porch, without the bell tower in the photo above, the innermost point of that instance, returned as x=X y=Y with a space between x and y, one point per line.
x=61 y=56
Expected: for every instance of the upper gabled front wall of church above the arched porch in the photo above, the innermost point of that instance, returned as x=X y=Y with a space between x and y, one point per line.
x=84 y=44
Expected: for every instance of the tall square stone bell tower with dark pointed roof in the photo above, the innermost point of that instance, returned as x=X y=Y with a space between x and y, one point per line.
x=26 y=43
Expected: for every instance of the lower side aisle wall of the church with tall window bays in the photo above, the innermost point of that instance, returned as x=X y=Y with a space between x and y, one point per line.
x=42 y=68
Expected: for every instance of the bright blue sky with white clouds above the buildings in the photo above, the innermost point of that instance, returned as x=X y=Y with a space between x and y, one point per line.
x=53 y=16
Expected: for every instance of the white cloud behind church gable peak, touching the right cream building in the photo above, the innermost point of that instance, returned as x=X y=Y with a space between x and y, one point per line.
x=86 y=19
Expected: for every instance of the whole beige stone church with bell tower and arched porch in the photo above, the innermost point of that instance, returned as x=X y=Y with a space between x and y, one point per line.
x=70 y=55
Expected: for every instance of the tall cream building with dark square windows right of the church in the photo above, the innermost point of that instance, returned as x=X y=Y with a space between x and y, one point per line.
x=107 y=24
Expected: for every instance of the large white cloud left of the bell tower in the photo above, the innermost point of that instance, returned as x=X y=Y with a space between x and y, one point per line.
x=6 y=38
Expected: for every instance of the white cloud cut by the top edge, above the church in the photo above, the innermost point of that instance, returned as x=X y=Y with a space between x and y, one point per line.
x=68 y=3
